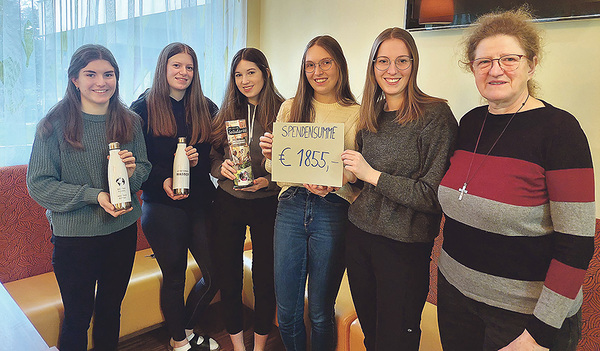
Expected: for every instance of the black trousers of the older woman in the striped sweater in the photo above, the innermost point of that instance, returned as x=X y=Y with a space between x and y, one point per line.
x=466 y=324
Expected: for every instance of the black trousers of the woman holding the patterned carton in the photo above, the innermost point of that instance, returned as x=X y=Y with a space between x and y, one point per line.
x=232 y=215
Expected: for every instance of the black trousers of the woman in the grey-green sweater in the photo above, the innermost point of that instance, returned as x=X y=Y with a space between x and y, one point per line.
x=92 y=274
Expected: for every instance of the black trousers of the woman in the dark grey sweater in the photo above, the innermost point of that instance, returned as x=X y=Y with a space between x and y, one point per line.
x=389 y=282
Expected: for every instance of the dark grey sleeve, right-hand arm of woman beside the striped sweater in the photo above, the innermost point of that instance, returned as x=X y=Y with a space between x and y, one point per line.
x=435 y=143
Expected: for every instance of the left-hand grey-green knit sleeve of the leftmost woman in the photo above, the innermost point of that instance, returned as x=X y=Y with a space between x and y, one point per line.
x=44 y=178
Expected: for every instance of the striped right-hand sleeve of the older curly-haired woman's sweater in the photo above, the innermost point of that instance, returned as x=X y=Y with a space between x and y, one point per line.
x=570 y=184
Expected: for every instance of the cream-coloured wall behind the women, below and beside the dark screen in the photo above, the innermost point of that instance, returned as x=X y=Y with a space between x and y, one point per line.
x=569 y=75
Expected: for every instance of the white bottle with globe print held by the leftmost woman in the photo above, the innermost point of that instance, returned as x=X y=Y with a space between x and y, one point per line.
x=118 y=180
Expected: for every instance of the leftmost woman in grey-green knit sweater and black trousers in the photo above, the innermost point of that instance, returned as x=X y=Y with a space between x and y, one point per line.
x=94 y=243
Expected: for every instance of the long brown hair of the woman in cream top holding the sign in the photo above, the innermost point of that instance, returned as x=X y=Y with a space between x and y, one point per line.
x=302 y=109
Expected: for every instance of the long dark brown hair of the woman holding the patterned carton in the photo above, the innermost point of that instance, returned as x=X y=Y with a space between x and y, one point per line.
x=234 y=103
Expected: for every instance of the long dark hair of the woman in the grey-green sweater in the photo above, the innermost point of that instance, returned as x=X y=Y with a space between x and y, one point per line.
x=120 y=120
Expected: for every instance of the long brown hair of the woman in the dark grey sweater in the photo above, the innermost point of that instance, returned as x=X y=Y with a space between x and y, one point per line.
x=373 y=99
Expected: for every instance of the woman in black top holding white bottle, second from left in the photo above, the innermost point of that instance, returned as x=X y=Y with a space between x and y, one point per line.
x=175 y=107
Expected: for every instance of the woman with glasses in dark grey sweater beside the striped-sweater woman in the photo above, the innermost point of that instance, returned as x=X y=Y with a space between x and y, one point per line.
x=404 y=138
